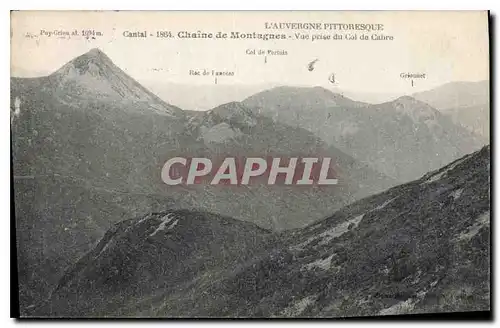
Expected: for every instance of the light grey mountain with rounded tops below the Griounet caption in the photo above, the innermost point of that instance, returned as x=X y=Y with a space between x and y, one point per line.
x=402 y=139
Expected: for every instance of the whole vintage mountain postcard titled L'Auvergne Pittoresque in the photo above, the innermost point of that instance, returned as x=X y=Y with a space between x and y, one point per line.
x=250 y=164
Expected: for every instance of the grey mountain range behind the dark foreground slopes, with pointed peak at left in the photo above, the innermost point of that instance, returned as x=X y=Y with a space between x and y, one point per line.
x=89 y=142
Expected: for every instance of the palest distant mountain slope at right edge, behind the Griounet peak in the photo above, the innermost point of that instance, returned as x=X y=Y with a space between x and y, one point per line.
x=466 y=103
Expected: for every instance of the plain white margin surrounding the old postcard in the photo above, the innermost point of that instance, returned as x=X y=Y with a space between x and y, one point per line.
x=196 y=5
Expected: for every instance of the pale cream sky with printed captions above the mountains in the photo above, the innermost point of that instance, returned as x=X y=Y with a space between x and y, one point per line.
x=446 y=46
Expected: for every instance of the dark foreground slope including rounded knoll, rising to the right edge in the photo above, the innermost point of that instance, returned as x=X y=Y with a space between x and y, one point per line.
x=418 y=247
